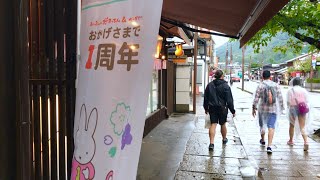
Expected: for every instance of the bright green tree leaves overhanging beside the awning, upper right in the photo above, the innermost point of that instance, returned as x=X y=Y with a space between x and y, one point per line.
x=300 y=19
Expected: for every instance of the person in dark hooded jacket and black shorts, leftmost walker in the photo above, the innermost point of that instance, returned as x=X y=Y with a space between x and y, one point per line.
x=217 y=100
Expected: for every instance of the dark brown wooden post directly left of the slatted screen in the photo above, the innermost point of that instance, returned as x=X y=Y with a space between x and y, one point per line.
x=21 y=71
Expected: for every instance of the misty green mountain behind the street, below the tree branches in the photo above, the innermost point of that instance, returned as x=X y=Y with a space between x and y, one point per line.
x=268 y=55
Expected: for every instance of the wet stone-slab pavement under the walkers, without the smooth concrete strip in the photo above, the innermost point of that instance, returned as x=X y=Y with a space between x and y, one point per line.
x=243 y=157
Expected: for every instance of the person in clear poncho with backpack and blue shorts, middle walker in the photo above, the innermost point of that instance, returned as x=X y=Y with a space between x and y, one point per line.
x=267 y=98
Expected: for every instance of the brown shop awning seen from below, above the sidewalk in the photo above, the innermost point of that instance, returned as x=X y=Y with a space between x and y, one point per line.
x=240 y=19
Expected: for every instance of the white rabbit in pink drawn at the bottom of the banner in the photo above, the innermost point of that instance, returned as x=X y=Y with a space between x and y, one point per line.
x=85 y=146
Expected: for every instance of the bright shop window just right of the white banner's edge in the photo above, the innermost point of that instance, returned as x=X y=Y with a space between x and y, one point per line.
x=153 y=94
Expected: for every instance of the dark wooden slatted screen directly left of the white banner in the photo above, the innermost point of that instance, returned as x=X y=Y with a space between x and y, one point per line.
x=52 y=28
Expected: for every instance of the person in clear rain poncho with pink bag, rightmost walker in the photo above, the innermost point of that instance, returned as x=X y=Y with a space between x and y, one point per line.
x=298 y=106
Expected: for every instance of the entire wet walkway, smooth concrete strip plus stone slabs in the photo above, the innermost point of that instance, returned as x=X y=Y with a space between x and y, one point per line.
x=167 y=155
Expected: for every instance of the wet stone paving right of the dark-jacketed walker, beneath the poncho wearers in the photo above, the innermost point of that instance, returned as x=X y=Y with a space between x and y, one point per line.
x=286 y=162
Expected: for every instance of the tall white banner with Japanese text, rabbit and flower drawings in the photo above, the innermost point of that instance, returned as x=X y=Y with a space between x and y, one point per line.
x=118 y=43
